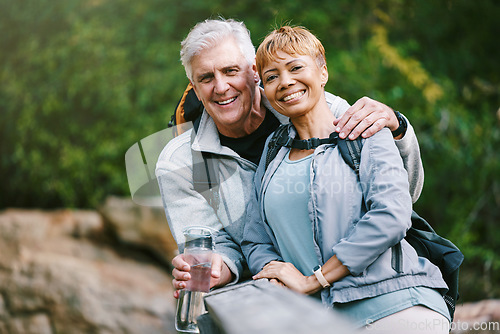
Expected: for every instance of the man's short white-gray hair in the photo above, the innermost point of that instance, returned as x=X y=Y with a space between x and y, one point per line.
x=211 y=32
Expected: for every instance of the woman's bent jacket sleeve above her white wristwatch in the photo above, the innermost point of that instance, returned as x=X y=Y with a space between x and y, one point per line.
x=384 y=183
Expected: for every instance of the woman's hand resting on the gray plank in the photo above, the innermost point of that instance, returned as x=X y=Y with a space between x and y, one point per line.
x=291 y=277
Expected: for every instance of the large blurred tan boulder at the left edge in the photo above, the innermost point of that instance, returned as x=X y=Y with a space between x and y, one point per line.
x=56 y=278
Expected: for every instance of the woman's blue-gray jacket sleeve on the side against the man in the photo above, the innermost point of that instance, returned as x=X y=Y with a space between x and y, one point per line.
x=257 y=244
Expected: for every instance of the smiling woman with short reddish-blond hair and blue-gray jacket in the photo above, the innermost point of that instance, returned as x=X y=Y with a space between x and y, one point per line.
x=316 y=226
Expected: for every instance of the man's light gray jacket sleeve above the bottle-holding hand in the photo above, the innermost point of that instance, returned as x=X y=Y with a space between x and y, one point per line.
x=184 y=206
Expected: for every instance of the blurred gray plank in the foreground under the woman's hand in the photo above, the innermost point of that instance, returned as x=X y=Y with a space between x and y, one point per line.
x=261 y=307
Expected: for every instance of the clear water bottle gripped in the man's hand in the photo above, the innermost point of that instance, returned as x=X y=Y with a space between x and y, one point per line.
x=198 y=253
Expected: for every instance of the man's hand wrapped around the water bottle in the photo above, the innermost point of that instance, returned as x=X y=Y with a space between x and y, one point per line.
x=221 y=275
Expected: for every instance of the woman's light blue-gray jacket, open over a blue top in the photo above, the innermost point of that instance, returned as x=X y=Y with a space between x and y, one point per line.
x=359 y=220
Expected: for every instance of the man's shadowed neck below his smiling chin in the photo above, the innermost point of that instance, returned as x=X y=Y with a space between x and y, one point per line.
x=251 y=122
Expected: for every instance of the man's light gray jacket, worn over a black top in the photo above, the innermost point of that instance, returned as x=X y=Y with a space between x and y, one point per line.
x=186 y=207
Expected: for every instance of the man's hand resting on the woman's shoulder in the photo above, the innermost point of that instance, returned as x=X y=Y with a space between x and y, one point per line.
x=366 y=117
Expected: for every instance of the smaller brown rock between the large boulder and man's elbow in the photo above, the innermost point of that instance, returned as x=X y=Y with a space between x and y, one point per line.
x=140 y=225
